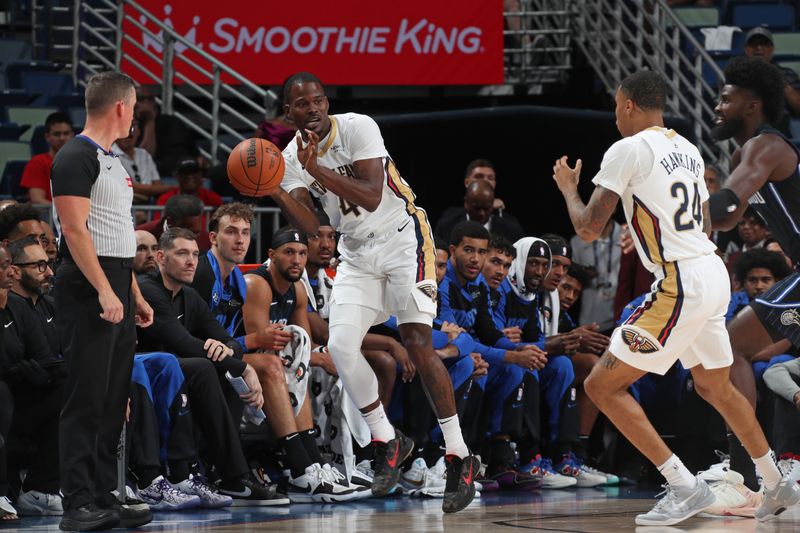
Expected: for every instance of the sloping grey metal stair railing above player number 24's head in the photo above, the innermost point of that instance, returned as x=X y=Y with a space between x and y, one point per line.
x=619 y=37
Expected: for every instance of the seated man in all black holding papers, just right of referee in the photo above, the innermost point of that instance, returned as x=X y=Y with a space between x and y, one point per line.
x=184 y=326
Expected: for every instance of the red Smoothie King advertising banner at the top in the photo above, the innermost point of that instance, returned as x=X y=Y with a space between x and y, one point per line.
x=355 y=42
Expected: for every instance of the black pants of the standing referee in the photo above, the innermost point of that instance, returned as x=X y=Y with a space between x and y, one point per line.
x=99 y=357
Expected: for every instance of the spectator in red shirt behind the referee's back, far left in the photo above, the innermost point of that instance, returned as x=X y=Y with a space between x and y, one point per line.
x=36 y=177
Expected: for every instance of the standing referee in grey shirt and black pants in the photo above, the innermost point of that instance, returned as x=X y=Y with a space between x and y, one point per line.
x=98 y=304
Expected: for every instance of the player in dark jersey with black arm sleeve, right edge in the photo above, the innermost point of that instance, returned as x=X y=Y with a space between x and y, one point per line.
x=764 y=175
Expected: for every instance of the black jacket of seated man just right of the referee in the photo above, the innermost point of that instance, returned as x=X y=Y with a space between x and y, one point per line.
x=182 y=325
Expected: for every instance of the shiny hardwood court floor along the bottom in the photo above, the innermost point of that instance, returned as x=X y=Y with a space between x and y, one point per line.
x=575 y=510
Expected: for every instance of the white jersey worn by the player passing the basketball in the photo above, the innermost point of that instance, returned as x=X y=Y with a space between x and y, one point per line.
x=352 y=138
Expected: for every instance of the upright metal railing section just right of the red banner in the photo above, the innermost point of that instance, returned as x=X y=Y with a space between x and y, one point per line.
x=538 y=41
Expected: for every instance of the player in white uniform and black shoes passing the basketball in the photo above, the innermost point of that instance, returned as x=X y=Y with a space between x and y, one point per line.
x=387 y=268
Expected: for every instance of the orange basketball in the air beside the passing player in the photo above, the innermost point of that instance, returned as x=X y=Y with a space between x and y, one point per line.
x=255 y=167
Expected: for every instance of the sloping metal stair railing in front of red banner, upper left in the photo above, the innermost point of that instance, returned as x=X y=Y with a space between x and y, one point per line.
x=181 y=61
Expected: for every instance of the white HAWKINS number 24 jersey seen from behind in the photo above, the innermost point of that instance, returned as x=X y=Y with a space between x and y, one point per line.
x=659 y=177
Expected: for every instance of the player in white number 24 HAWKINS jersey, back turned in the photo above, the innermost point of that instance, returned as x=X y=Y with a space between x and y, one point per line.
x=659 y=177
